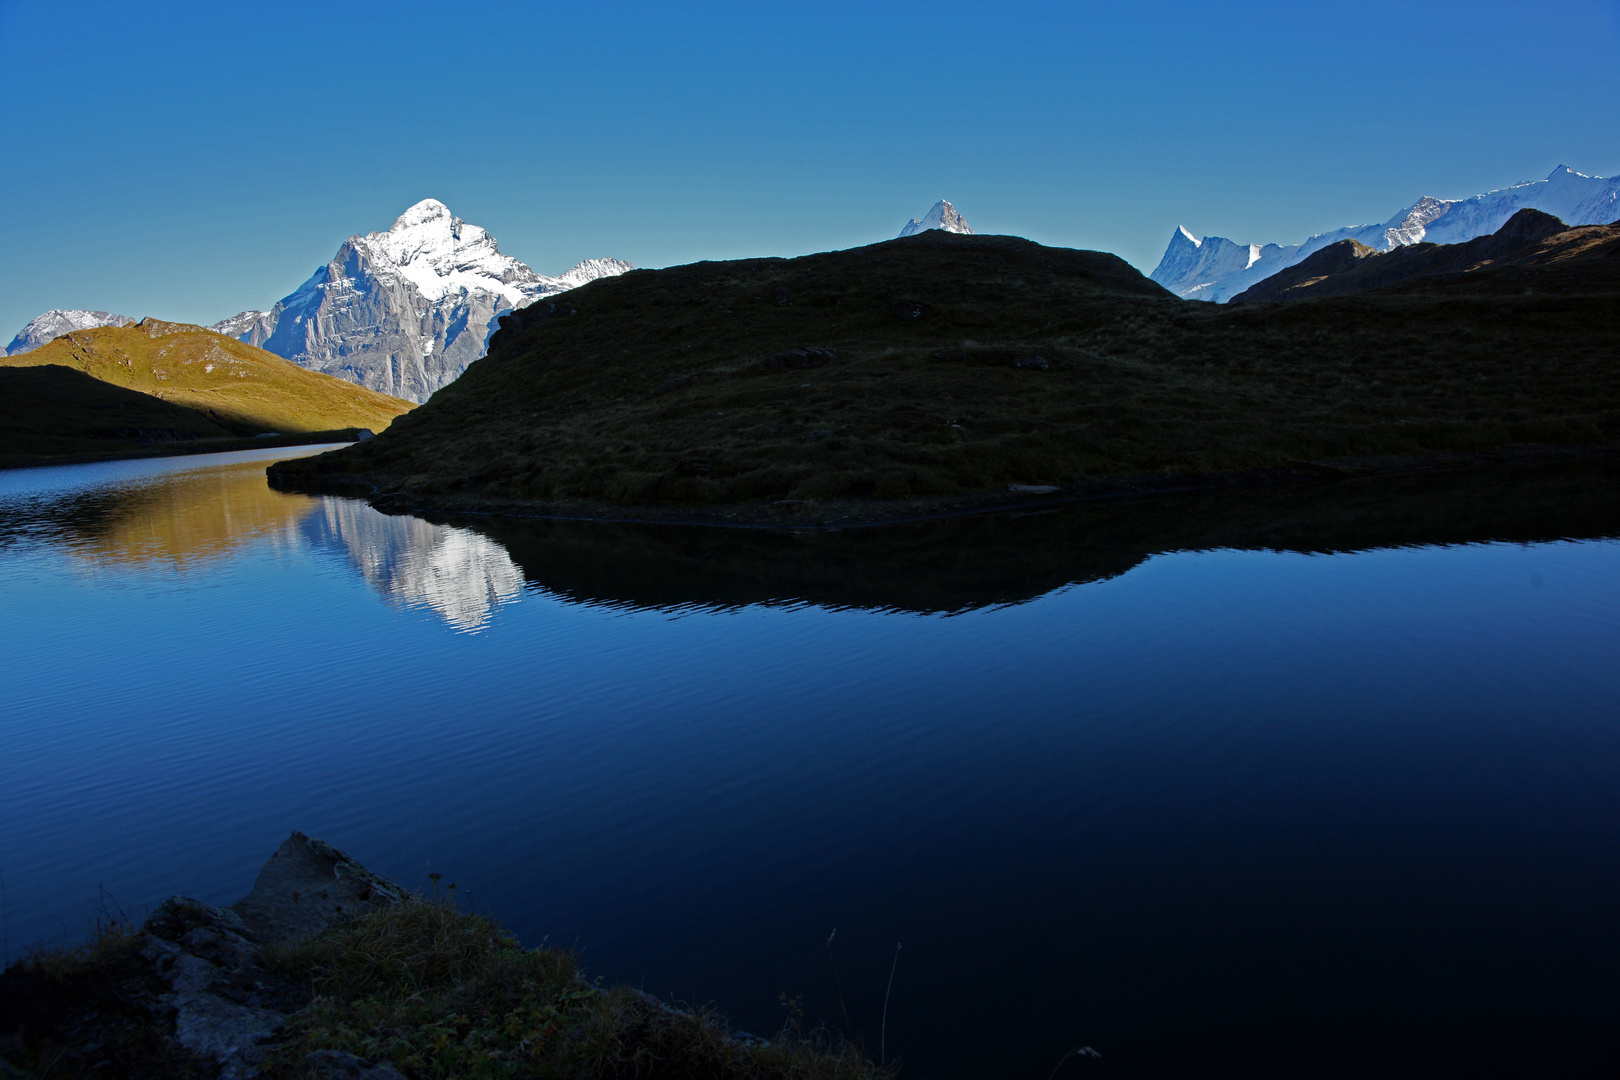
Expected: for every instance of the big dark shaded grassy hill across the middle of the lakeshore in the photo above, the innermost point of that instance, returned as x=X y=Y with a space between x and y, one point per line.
x=942 y=367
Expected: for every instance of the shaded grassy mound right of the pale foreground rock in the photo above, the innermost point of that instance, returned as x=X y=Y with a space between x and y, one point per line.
x=446 y=993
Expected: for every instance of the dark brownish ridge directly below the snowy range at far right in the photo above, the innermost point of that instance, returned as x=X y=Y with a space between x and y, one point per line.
x=1527 y=239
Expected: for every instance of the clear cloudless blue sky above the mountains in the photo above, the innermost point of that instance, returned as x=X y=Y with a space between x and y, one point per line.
x=192 y=161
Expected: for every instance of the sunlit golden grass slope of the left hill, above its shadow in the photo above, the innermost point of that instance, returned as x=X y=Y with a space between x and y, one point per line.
x=237 y=386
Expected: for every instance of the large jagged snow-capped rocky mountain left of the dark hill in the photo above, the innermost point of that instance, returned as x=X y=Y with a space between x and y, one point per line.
x=406 y=312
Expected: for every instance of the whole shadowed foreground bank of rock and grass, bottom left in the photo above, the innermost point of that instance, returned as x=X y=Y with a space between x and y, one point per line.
x=328 y=971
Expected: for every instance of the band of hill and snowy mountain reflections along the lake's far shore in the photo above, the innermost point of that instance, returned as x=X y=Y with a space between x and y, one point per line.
x=195 y=512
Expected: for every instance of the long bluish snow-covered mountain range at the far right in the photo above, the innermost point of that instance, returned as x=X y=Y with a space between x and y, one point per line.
x=1214 y=268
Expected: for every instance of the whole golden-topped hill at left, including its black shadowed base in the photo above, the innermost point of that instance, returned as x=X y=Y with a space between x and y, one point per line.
x=168 y=388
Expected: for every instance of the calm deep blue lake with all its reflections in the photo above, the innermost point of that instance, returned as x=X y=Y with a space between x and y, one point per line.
x=1313 y=783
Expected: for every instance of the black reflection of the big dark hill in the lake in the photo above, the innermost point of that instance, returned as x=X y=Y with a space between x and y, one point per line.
x=965 y=564
